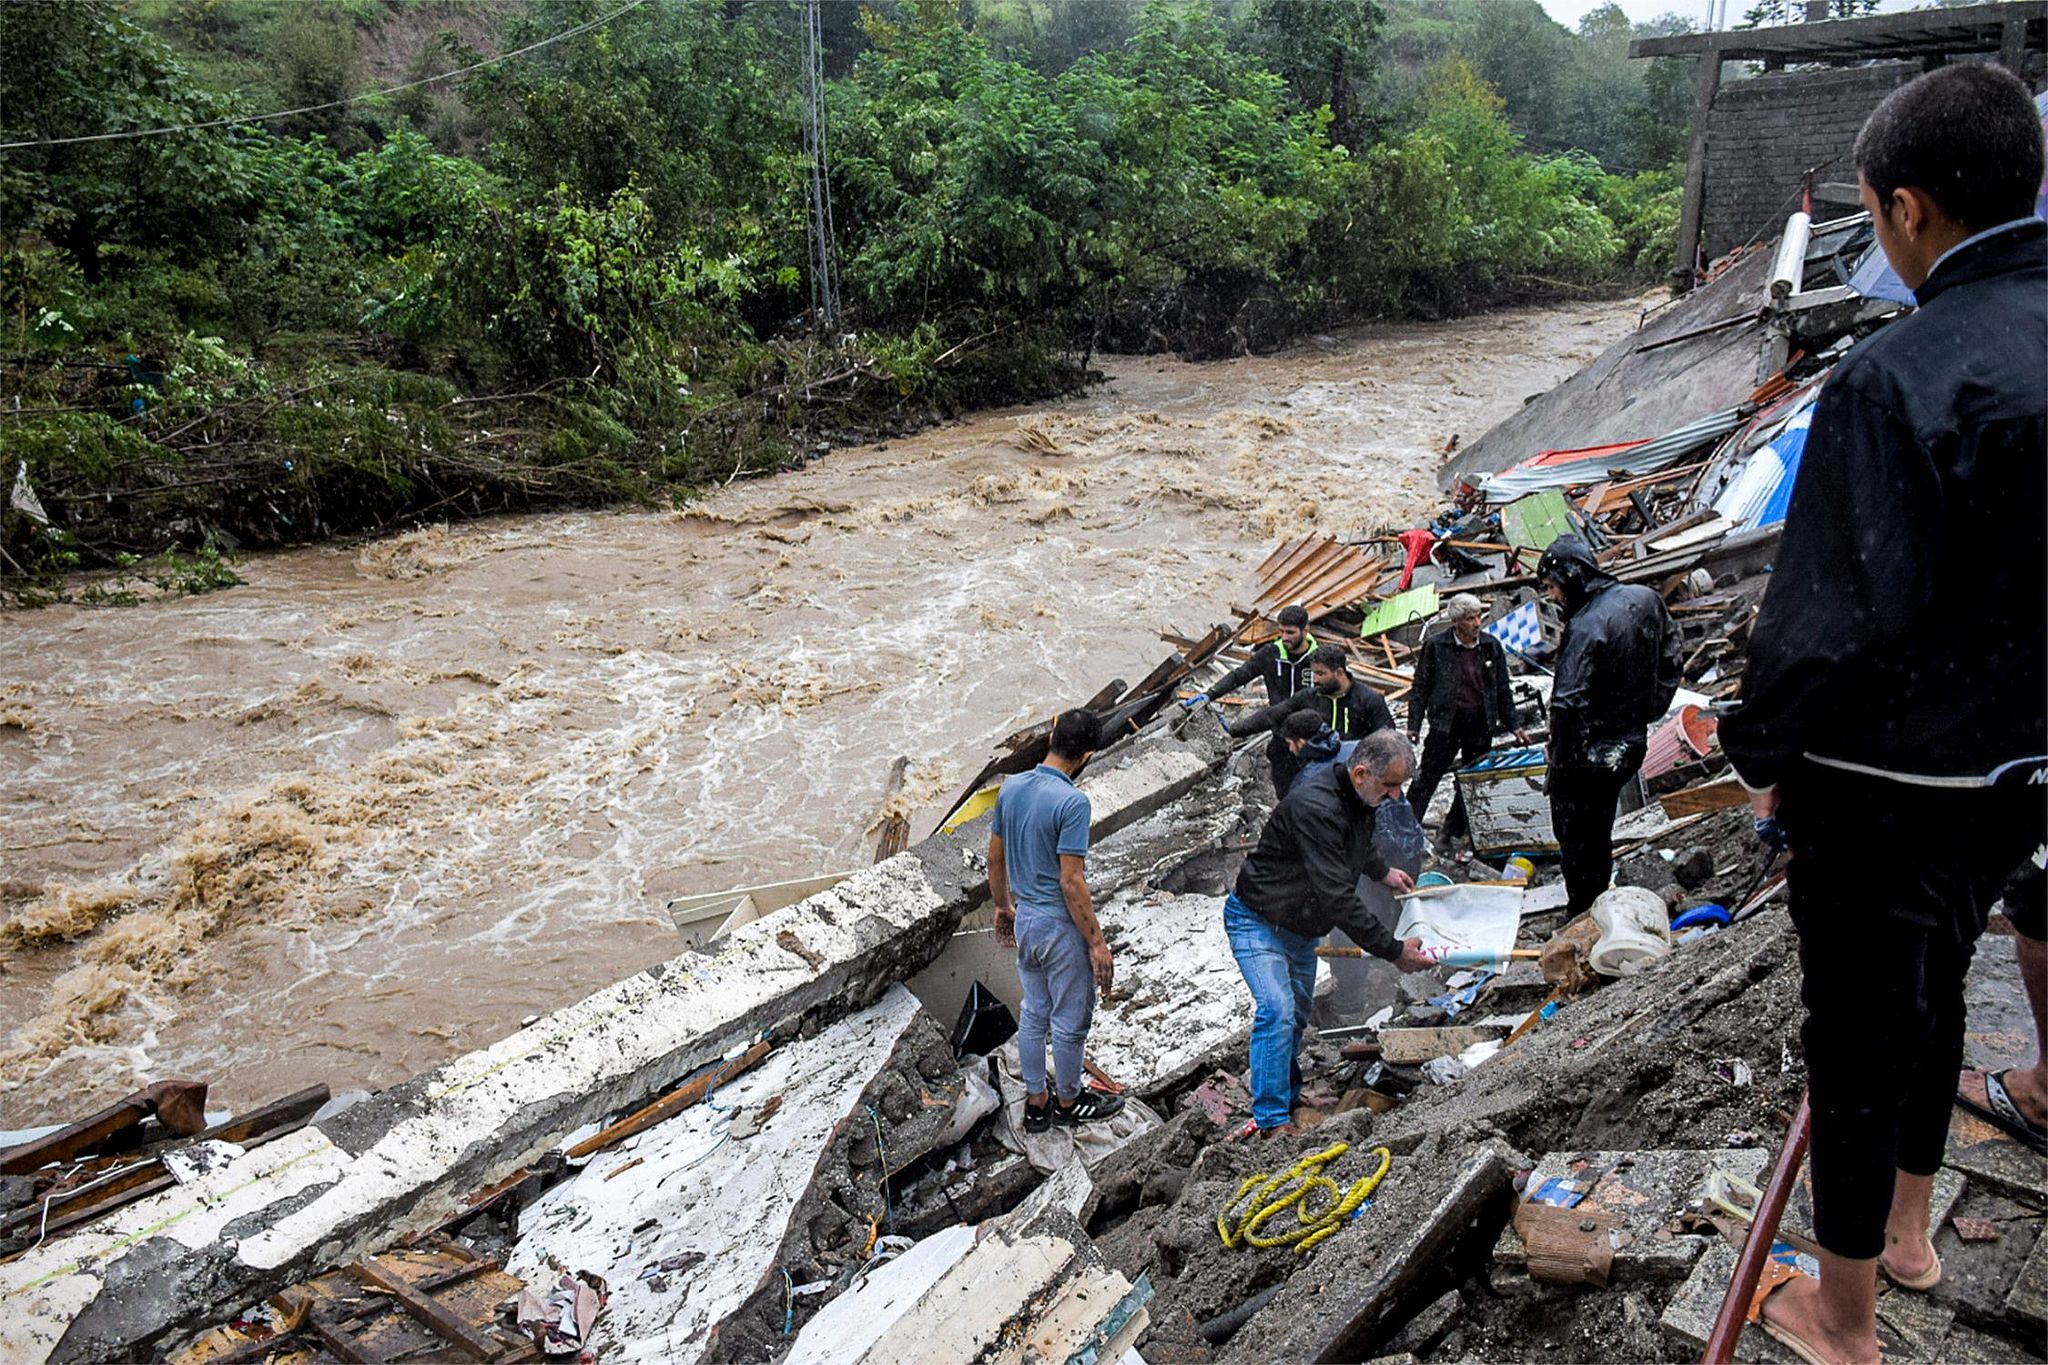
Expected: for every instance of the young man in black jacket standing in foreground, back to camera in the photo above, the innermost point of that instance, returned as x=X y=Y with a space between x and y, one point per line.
x=1891 y=711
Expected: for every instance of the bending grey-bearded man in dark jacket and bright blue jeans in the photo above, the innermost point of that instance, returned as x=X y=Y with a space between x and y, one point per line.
x=1302 y=883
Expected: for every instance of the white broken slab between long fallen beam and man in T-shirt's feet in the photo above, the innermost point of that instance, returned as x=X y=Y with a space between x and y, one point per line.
x=689 y=1190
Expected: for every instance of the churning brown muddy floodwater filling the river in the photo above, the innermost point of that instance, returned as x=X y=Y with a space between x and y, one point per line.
x=388 y=799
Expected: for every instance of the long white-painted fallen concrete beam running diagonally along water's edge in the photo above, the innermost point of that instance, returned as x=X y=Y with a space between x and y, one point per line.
x=407 y=1157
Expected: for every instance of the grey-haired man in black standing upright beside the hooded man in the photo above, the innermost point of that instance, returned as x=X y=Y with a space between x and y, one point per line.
x=1461 y=691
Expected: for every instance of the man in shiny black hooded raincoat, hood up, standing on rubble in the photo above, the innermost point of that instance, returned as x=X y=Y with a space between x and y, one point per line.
x=1617 y=670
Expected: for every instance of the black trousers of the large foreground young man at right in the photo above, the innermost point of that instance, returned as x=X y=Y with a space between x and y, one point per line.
x=1891 y=885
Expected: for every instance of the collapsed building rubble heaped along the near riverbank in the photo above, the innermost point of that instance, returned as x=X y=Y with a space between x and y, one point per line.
x=802 y=1137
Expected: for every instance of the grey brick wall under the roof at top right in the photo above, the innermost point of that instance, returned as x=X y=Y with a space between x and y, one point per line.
x=1766 y=132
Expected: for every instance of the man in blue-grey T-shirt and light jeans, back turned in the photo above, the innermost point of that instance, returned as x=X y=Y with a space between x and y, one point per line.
x=1039 y=885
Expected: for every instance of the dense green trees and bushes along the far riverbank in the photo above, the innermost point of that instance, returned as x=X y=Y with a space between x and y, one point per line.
x=583 y=275
